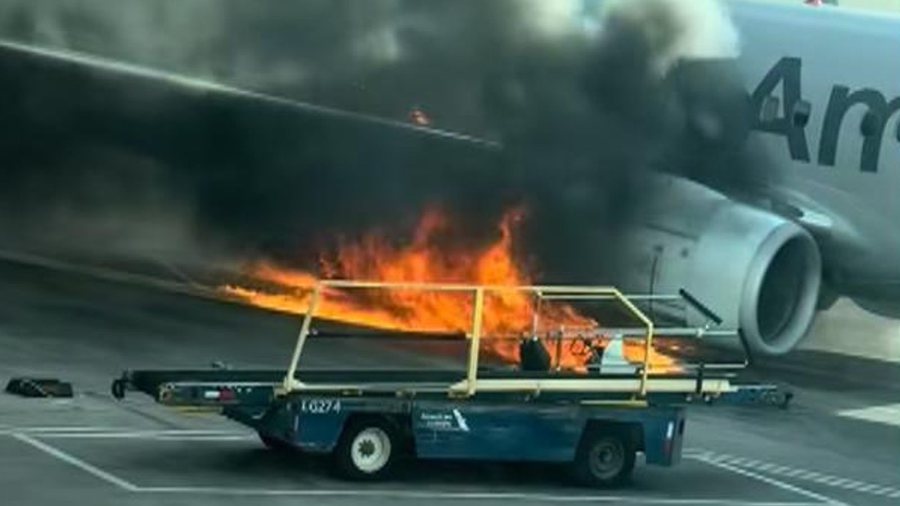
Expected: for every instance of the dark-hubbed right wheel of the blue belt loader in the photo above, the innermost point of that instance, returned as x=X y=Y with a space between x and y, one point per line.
x=604 y=459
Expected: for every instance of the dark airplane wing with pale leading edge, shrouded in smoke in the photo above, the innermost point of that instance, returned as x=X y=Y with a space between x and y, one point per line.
x=238 y=153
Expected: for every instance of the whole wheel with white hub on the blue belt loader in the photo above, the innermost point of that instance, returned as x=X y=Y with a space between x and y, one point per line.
x=367 y=449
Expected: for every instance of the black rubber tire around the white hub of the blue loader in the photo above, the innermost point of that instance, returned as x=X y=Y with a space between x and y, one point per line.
x=344 y=451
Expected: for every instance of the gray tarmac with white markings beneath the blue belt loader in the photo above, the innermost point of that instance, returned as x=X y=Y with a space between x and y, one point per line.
x=838 y=443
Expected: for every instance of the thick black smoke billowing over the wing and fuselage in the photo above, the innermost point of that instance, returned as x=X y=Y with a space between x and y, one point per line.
x=95 y=160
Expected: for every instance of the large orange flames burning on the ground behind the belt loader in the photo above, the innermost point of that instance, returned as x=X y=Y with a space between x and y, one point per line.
x=430 y=258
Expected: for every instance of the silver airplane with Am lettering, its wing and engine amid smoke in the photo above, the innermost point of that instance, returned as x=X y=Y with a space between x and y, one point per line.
x=821 y=94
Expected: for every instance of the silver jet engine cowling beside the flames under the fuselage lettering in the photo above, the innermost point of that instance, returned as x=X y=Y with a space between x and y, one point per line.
x=757 y=270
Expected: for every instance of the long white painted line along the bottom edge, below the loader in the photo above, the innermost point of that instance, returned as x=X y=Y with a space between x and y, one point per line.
x=437 y=495
